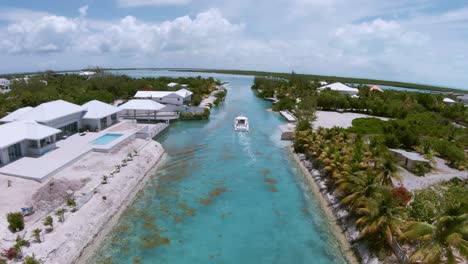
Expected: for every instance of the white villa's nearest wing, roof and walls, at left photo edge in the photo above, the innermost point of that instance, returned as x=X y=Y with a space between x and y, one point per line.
x=25 y=138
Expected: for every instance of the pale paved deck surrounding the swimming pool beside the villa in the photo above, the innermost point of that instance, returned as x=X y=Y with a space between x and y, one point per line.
x=73 y=148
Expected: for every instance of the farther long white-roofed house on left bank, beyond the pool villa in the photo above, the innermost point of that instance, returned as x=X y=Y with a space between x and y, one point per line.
x=166 y=97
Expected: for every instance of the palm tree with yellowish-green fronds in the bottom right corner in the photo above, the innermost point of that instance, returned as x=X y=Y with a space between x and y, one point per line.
x=439 y=241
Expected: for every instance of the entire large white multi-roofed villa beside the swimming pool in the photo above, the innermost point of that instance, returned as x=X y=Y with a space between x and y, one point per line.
x=33 y=131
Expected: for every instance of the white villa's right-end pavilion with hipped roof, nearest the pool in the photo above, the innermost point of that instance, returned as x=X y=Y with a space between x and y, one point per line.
x=99 y=115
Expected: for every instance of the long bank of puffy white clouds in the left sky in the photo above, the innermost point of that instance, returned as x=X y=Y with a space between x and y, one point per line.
x=129 y=36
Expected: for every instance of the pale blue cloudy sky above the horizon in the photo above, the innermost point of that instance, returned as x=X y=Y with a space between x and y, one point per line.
x=421 y=41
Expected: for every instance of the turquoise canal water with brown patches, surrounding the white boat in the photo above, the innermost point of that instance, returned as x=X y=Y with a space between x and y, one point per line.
x=224 y=197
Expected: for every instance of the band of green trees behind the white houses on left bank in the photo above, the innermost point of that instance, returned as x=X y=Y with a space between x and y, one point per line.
x=104 y=87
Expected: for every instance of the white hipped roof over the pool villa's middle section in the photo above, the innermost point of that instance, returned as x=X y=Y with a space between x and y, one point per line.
x=51 y=110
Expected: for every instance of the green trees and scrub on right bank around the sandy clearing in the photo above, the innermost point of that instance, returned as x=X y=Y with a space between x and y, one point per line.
x=419 y=121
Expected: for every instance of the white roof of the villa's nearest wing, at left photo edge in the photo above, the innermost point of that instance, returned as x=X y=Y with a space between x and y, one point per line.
x=18 y=131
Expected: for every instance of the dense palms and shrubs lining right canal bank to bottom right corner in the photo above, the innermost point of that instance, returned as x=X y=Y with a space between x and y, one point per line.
x=362 y=175
